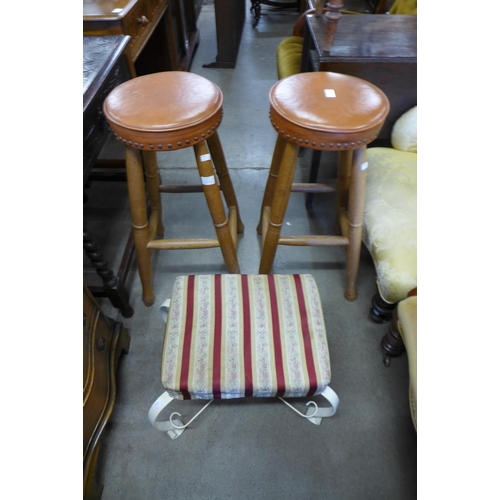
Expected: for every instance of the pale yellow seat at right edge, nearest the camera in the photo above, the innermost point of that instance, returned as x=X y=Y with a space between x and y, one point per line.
x=407 y=314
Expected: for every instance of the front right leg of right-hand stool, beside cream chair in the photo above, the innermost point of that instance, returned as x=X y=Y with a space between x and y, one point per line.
x=355 y=220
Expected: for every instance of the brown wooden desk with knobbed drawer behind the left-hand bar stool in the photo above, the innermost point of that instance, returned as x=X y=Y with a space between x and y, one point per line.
x=163 y=33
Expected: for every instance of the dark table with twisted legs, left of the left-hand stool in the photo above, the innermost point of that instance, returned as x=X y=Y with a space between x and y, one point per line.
x=104 y=67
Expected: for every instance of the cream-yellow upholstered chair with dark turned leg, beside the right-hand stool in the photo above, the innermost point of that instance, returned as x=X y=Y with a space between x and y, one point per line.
x=390 y=216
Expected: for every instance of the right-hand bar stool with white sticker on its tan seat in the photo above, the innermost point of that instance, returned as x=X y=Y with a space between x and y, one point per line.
x=327 y=112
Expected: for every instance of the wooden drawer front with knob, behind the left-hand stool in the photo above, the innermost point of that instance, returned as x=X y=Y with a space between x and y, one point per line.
x=140 y=22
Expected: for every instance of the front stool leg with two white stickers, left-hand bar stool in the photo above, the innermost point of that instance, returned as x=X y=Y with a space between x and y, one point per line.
x=216 y=207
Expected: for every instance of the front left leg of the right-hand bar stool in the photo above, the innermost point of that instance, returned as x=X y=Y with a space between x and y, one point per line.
x=278 y=208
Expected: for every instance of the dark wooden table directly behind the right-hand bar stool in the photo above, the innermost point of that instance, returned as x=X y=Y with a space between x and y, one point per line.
x=381 y=49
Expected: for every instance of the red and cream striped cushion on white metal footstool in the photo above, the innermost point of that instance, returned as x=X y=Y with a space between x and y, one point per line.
x=233 y=336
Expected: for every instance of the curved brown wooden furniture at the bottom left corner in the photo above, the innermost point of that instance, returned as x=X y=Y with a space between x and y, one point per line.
x=104 y=341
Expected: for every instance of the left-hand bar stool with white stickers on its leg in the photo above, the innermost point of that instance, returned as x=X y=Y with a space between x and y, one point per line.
x=164 y=112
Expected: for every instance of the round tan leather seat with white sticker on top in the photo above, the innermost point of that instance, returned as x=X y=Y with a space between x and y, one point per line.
x=322 y=107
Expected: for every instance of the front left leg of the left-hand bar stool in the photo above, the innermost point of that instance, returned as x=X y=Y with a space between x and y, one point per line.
x=137 y=198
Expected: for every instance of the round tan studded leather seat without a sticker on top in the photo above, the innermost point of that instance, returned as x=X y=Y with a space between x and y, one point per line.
x=164 y=110
